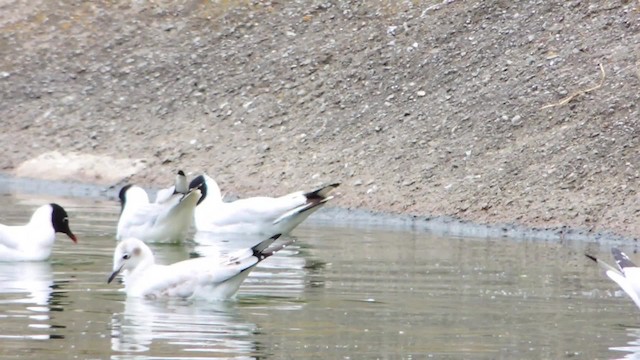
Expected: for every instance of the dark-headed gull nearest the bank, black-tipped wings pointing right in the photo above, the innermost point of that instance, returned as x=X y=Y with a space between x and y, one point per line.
x=256 y=215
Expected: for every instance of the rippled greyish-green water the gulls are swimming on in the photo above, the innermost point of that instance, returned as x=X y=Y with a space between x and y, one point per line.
x=338 y=293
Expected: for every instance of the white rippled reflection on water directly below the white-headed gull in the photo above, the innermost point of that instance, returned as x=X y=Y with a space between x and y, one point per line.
x=201 y=327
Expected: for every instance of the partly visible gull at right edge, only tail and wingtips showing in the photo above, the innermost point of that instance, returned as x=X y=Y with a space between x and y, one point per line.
x=627 y=275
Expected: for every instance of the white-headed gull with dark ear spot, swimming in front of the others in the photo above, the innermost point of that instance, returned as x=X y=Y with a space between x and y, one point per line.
x=209 y=278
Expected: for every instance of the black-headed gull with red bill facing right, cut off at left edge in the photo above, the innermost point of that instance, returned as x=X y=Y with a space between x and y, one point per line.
x=34 y=241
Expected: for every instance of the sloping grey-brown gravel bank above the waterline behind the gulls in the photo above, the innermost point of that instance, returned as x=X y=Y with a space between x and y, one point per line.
x=495 y=112
